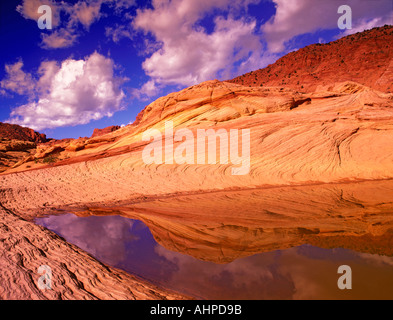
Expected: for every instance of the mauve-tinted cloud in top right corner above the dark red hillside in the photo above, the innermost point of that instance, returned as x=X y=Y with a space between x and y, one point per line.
x=299 y=17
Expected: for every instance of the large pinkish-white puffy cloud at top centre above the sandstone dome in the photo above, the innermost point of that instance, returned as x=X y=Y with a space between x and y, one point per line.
x=189 y=54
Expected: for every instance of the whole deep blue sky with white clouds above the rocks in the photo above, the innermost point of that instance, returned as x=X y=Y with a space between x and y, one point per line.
x=91 y=64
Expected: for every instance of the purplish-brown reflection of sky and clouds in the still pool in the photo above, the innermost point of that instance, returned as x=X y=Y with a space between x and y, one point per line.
x=303 y=272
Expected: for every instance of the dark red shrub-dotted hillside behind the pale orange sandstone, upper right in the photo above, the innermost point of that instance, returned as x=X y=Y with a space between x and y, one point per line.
x=366 y=58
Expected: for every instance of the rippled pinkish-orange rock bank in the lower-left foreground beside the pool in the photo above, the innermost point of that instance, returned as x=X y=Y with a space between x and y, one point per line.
x=25 y=246
